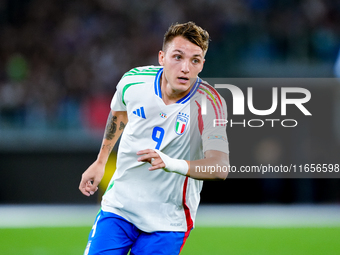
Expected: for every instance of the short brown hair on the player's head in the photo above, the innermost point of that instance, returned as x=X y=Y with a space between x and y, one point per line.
x=189 y=31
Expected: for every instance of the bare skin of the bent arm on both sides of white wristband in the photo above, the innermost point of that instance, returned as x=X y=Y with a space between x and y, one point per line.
x=197 y=169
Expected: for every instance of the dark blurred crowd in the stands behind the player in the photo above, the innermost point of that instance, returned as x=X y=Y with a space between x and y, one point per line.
x=60 y=60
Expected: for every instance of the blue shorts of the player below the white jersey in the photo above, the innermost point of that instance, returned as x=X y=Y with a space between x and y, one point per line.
x=113 y=235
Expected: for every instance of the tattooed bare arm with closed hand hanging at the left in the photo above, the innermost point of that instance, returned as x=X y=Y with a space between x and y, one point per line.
x=116 y=122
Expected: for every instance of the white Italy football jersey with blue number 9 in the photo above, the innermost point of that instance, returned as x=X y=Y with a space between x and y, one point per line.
x=158 y=200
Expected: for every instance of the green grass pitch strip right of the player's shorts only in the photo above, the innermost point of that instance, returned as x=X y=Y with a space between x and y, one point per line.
x=263 y=241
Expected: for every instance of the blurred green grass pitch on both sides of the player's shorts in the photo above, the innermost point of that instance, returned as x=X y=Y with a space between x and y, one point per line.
x=203 y=240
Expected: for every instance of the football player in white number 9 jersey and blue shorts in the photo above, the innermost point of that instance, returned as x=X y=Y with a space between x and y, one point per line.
x=152 y=199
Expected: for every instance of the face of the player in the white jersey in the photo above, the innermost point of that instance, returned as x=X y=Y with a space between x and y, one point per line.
x=182 y=60
